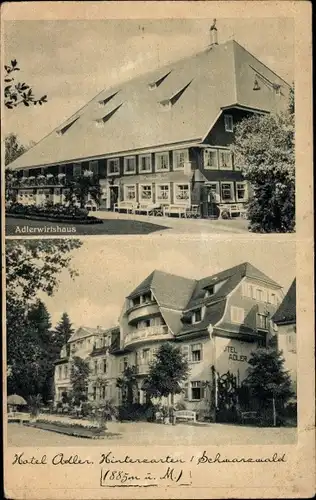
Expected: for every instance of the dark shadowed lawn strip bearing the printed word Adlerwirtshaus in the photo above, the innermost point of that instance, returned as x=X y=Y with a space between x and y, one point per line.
x=22 y=227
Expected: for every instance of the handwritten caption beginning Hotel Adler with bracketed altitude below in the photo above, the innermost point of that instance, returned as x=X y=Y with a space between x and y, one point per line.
x=120 y=471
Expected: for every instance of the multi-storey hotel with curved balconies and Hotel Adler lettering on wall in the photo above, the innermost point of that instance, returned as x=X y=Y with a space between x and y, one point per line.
x=216 y=322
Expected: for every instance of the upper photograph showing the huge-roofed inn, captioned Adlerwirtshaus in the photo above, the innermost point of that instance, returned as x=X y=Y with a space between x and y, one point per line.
x=170 y=126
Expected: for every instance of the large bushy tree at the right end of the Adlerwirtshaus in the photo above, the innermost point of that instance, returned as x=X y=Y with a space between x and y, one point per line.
x=264 y=151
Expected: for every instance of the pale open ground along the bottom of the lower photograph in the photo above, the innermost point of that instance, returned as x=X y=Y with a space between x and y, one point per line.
x=144 y=433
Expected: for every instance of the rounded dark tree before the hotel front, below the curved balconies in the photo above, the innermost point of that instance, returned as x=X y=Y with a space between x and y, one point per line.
x=167 y=372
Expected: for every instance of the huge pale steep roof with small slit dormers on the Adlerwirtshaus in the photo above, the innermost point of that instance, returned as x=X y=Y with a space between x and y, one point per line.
x=179 y=102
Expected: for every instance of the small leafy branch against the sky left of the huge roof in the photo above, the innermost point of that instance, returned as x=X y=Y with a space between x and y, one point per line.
x=18 y=93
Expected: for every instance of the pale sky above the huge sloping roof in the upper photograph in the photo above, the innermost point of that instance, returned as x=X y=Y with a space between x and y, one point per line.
x=72 y=61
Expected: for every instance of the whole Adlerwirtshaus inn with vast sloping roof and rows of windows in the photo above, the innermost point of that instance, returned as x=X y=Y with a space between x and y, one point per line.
x=161 y=138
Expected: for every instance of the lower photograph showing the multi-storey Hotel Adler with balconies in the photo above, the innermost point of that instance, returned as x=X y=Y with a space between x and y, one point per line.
x=162 y=341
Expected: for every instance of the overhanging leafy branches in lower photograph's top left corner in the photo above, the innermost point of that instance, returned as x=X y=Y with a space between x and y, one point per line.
x=34 y=265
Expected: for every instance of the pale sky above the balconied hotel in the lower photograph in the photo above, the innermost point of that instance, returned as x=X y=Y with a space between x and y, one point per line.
x=110 y=268
